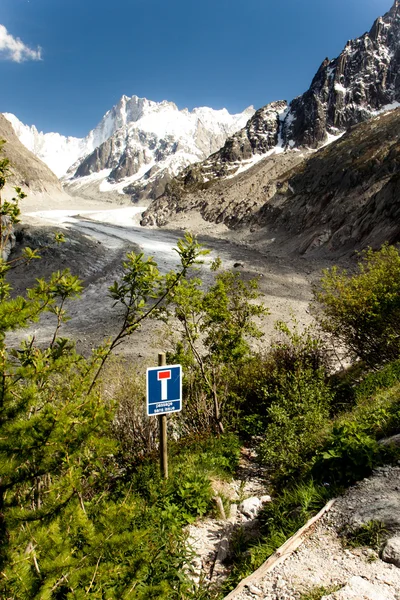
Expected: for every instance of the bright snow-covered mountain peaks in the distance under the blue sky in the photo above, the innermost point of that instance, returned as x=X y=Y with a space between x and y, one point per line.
x=134 y=134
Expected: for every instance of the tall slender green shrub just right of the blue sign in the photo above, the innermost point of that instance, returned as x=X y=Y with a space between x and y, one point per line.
x=212 y=333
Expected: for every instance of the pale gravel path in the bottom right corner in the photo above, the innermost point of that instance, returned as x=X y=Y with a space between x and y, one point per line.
x=323 y=561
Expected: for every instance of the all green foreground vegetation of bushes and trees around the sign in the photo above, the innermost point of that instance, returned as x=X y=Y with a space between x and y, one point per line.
x=83 y=509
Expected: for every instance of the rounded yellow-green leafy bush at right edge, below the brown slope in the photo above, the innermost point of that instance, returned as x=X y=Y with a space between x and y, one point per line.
x=362 y=311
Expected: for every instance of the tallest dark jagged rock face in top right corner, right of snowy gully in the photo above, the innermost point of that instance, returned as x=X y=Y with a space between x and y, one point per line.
x=350 y=88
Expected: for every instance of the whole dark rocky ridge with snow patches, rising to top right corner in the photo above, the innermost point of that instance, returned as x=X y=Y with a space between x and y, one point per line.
x=356 y=86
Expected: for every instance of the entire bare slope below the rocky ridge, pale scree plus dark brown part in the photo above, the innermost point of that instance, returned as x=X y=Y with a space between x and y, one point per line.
x=344 y=196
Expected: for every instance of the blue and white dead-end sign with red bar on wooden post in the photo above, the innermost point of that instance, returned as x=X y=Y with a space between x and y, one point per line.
x=164 y=390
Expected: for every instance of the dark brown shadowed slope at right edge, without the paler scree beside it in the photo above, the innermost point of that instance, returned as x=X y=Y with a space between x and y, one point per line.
x=346 y=195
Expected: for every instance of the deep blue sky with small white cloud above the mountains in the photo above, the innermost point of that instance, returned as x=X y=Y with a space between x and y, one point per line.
x=64 y=63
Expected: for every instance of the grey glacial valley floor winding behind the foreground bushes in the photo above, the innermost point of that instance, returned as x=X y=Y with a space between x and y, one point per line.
x=99 y=234
